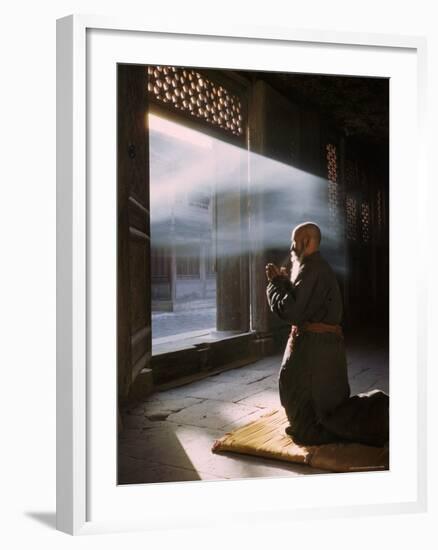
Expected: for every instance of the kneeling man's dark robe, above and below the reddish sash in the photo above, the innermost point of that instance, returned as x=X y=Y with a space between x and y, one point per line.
x=313 y=380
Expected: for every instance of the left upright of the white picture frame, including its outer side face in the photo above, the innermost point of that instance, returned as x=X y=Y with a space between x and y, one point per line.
x=70 y=277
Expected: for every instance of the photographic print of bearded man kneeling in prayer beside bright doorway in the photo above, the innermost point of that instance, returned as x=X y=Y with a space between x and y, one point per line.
x=252 y=274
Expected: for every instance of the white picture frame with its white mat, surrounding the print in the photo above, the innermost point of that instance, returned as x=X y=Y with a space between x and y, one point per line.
x=85 y=501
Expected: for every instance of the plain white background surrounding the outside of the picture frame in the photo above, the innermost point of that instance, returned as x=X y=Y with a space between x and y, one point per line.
x=27 y=287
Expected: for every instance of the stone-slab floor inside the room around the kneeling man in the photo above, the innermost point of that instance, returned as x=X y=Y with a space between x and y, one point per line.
x=169 y=436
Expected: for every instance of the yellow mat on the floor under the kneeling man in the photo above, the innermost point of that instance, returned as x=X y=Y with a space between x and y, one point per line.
x=266 y=437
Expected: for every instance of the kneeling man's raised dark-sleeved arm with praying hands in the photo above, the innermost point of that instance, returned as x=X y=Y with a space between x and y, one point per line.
x=293 y=302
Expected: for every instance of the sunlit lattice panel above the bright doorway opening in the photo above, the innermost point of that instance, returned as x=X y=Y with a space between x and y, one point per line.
x=189 y=91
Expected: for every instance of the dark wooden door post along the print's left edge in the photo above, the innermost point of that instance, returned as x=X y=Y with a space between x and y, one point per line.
x=133 y=227
